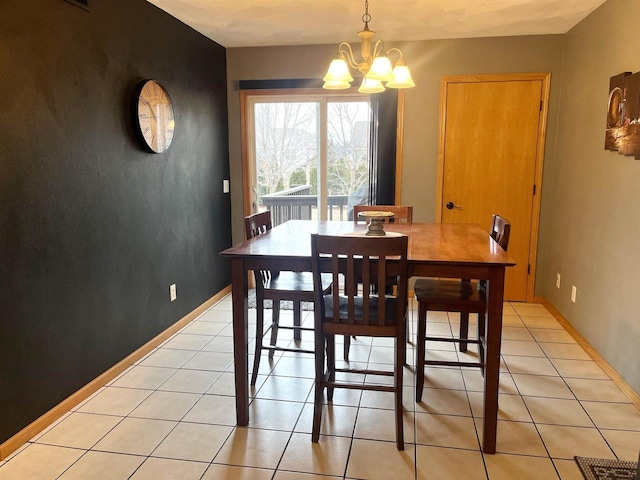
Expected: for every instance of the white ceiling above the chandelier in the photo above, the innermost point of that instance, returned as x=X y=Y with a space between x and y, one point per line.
x=251 y=23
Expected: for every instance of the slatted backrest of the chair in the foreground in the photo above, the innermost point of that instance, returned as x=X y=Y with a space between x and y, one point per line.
x=372 y=262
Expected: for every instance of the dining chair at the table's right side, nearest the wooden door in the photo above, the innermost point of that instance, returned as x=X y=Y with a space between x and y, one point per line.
x=452 y=295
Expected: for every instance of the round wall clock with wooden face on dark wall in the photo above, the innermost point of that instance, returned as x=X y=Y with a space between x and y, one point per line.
x=153 y=117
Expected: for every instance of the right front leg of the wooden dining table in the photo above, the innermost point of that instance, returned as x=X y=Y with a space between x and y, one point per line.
x=493 y=332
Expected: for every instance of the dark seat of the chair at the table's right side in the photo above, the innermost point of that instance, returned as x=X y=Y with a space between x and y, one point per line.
x=439 y=294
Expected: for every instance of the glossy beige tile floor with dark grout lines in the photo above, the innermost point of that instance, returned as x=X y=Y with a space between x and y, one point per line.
x=171 y=416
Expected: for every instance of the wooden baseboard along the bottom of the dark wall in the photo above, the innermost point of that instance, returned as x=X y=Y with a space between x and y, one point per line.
x=37 y=426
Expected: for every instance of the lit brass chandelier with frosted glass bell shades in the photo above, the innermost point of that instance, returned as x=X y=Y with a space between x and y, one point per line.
x=375 y=65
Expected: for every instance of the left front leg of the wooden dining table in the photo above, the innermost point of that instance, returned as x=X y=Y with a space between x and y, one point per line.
x=239 y=292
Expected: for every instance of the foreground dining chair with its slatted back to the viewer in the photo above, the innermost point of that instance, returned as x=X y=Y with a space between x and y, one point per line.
x=347 y=310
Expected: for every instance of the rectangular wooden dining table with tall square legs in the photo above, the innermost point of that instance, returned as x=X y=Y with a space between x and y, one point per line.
x=435 y=250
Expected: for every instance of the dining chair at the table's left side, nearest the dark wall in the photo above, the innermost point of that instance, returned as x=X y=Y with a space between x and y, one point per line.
x=278 y=286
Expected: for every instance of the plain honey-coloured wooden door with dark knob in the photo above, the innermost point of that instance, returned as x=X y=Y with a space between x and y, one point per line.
x=490 y=161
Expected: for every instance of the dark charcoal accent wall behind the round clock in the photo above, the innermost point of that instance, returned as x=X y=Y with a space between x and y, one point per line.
x=93 y=229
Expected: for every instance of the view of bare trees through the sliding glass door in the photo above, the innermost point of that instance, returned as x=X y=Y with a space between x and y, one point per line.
x=287 y=146
